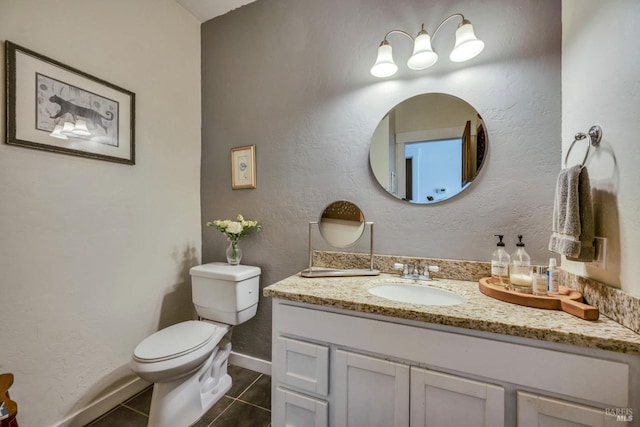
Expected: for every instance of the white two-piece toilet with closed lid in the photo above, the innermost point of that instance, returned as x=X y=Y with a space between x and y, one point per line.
x=187 y=362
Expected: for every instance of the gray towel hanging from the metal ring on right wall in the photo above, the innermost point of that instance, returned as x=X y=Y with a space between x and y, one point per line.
x=573 y=228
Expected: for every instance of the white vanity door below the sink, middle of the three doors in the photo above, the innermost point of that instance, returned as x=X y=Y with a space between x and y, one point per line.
x=445 y=400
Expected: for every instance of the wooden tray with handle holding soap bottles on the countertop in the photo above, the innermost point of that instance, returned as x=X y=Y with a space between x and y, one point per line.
x=568 y=300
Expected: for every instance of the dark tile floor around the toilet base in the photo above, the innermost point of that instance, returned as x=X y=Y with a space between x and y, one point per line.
x=246 y=404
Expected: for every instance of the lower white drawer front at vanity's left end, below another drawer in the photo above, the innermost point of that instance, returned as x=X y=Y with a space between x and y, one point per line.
x=295 y=410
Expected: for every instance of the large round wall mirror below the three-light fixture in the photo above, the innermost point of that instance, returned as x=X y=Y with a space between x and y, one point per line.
x=428 y=148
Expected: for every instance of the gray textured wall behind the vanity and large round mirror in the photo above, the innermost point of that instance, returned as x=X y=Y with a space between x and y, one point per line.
x=292 y=77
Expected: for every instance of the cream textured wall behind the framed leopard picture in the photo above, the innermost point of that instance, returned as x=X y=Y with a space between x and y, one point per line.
x=94 y=255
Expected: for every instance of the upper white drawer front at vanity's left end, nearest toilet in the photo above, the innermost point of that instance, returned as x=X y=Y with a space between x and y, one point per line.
x=303 y=365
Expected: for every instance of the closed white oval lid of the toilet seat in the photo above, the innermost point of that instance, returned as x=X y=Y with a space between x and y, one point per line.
x=175 y=341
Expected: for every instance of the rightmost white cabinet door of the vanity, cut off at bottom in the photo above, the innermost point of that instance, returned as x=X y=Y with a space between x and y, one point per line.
x=539 y=411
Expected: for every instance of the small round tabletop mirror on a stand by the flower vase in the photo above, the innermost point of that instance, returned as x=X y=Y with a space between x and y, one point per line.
x=341 y=223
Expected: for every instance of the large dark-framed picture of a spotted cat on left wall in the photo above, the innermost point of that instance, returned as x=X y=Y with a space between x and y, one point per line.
x=53 y=107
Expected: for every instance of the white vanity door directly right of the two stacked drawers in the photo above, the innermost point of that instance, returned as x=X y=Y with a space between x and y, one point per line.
x=370 y=392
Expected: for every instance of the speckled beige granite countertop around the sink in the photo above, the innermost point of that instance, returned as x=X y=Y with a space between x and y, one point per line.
x=480 y=312
